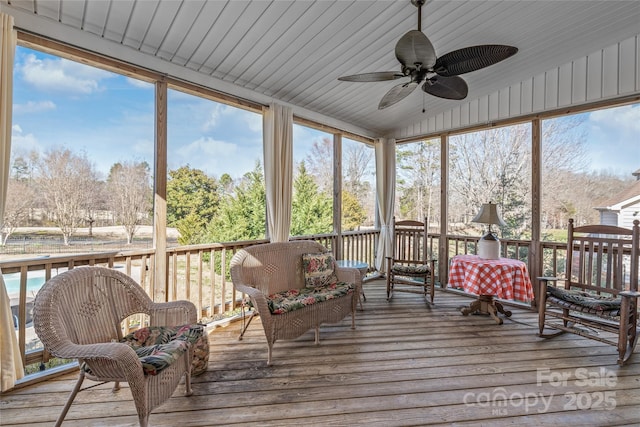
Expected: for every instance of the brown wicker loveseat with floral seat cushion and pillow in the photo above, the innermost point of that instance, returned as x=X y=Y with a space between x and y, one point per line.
x=288 y=301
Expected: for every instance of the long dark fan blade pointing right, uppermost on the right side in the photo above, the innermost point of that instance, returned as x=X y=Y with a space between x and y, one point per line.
x=472 y=58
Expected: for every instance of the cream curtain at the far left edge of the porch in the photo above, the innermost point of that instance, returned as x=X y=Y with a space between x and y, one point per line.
x=11 y=368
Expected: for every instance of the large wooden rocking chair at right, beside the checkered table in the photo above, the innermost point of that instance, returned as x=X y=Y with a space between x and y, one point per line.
x=599 y=299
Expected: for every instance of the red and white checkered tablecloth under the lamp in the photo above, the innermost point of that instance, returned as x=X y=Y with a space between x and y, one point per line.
x=503 y=278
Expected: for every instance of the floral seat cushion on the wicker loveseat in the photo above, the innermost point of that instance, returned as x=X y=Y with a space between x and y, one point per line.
x=294 y=299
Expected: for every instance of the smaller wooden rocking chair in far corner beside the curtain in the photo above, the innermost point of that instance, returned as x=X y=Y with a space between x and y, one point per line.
x=410 y=269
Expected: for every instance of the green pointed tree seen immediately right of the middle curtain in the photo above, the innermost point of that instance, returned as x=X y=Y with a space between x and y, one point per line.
x=311 y=211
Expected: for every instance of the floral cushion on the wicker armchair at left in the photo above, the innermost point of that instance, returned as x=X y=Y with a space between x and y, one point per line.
x=158 y=346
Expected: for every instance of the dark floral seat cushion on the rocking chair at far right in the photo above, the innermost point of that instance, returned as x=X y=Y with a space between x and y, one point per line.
x=585 y=302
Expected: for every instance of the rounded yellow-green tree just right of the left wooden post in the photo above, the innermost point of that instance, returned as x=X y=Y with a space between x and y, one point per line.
x=192 y=201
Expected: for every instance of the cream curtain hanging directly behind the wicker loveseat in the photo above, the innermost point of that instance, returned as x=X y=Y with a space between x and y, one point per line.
x=278 y=169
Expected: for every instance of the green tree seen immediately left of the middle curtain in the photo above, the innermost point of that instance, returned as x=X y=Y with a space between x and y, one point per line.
x=241 y=214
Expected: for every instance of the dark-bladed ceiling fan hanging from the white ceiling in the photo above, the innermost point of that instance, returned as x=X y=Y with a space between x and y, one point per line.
x=440 y=75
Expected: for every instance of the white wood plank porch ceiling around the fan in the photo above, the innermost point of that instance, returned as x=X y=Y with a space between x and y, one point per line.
x=294 y=51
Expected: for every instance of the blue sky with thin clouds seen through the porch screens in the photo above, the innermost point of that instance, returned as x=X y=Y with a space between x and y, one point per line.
x=60 y=103
